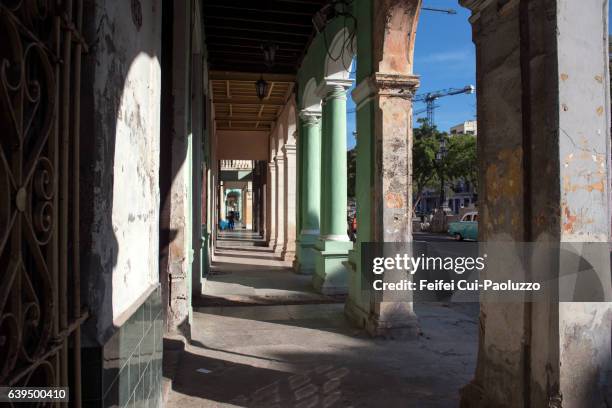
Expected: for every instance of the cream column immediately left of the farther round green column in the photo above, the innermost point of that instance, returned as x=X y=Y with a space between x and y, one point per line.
x=289 y=150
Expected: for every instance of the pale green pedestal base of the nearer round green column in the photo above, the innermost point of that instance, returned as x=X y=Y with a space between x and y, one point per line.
x=331 y=276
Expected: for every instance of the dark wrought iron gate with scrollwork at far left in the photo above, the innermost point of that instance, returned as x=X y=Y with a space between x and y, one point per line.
x=40 y=306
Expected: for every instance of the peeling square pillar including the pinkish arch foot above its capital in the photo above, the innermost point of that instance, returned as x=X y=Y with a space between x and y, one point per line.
x=383 y=96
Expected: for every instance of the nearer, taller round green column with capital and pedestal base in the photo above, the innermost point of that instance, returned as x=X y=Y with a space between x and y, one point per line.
x=333 y=244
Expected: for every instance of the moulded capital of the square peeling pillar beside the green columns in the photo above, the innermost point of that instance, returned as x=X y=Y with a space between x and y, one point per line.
x=389 y=85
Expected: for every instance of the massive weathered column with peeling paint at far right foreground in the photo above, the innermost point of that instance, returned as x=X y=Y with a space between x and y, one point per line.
x=543 y=145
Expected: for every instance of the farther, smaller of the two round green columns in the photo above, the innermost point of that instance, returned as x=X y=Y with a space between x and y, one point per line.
x=310 y=195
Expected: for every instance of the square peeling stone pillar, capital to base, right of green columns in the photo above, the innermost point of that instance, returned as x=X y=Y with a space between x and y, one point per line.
x=386 y=100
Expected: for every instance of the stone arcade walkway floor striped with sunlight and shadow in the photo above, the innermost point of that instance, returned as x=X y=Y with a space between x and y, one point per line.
x=264 y=339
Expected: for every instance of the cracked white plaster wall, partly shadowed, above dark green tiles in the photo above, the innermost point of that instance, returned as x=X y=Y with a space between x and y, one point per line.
x=120 y=134
